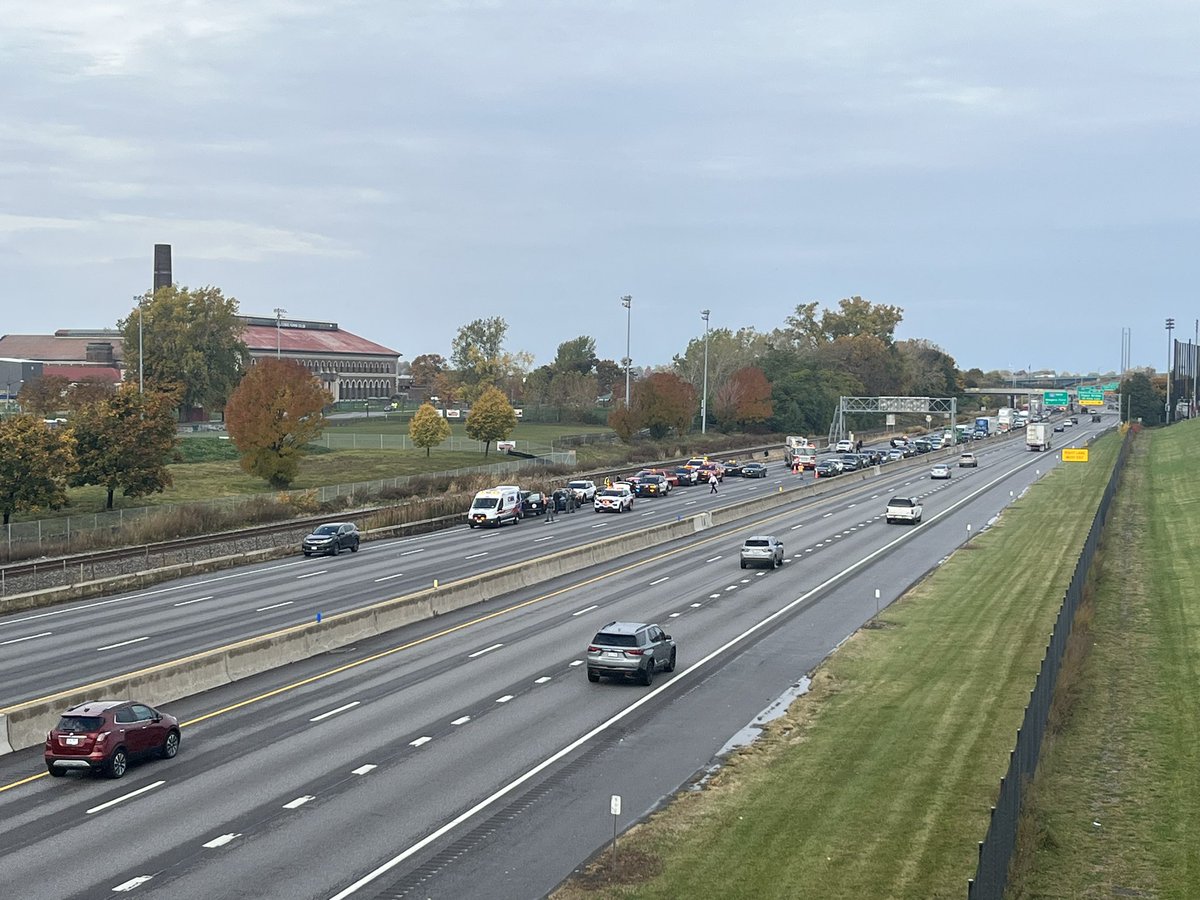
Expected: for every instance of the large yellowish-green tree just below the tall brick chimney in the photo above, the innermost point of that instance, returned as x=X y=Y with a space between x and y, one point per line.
x=191 y=339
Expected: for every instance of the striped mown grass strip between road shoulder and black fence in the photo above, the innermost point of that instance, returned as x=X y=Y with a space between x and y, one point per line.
x=880 y=781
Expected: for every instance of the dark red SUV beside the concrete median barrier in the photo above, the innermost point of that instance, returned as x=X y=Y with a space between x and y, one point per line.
x=105 y=735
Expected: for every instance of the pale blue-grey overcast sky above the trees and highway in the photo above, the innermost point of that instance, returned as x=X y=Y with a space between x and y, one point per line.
x=1021 y=178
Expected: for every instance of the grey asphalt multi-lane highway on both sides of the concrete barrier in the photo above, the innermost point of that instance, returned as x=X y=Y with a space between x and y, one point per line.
x=469 y=757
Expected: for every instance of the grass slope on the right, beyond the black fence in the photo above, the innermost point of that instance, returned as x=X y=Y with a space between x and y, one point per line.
x=1117 y=801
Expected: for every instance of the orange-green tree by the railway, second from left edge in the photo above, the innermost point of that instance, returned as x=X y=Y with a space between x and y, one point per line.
x=124 y=441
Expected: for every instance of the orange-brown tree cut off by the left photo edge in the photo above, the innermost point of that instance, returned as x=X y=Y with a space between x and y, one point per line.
x=35 y=463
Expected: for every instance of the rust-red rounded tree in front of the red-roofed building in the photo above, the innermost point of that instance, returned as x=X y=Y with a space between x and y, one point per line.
x=272 y=416
